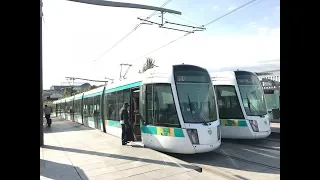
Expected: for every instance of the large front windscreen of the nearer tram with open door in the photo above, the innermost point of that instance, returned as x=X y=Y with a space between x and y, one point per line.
x=195 y=94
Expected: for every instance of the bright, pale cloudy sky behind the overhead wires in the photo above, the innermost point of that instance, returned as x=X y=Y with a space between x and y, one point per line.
x=75 y=35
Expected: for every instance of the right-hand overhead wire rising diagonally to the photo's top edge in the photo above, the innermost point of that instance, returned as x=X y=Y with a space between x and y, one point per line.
x=214 y=20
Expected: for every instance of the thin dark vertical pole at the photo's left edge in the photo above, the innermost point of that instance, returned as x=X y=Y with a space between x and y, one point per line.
x=41 y=88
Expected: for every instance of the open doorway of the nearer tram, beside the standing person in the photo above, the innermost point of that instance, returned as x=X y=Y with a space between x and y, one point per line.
x=134 y=113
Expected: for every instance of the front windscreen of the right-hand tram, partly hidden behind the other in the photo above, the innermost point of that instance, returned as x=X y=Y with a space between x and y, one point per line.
x=251 y=93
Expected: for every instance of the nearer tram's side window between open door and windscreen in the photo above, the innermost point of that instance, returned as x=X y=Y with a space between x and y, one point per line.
x=161 y=107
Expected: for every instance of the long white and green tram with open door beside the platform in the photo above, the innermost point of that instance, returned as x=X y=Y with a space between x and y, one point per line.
x=173 y=109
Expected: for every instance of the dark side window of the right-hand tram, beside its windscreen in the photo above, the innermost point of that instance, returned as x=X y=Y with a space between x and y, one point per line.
x=228 y=102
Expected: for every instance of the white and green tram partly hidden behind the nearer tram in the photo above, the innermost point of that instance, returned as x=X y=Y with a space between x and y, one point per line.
x=242 y=106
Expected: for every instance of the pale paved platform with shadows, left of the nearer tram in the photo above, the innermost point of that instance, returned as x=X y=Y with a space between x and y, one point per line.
x=73 y=151
